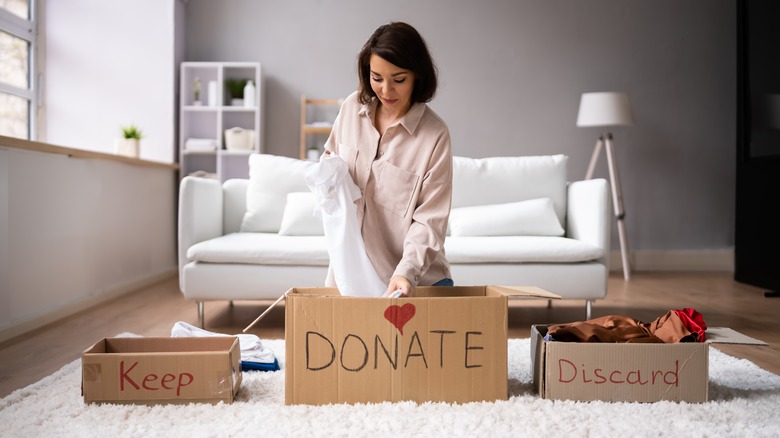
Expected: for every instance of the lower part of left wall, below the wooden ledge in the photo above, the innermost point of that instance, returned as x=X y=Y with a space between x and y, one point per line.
x=73 y=229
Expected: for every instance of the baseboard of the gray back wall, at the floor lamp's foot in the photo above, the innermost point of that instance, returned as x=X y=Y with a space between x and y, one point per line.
x=702 y=260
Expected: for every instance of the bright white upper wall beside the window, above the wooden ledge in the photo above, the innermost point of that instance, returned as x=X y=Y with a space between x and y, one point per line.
x=109 y=64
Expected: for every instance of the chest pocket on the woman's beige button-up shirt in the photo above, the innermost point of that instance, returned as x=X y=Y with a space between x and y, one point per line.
x=395 y=188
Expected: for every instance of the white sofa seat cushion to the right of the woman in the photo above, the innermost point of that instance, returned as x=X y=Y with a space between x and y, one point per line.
x=518 y=249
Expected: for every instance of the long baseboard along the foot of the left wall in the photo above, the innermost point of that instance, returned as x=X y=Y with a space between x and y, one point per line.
x=28 y=325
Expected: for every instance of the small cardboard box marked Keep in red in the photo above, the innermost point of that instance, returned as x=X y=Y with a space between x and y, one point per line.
x=162 y=370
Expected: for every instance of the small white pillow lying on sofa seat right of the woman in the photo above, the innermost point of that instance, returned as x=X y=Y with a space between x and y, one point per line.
x=534 y=217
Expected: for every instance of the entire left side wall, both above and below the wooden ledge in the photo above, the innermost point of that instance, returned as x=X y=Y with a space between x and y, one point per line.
x=73 y=231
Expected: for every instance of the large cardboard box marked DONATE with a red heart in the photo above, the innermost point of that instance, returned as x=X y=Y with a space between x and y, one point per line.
x=445 y=344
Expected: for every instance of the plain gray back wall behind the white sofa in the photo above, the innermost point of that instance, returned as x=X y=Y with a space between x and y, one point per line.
x=512 y=73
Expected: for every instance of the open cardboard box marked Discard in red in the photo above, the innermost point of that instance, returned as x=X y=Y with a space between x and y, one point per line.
x=625 y=372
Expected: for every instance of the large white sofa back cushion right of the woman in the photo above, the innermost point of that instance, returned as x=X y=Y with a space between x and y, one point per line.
x=501 y=180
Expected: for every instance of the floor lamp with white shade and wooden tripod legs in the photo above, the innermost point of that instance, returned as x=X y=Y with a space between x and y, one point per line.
x=604 y=110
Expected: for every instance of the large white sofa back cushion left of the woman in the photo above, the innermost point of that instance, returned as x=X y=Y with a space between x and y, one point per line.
x=271 y=178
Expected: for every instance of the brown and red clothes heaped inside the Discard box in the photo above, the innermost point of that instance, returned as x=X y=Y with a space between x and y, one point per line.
x=682 y=325
